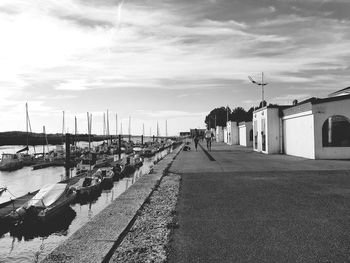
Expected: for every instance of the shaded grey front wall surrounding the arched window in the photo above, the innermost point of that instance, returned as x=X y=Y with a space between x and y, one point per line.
x=322 y=112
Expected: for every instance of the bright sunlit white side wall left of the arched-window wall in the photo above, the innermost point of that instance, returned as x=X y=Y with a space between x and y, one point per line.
x=298 y=135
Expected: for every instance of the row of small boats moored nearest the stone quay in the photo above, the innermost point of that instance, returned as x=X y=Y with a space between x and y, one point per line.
x=95 y=174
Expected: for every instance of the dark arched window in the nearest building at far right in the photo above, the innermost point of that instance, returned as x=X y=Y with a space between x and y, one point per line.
x=336 y=132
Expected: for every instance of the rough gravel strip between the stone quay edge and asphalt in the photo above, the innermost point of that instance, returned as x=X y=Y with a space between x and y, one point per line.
x=148 y=238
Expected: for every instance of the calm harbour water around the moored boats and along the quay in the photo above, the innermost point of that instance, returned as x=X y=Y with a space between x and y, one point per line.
x=32 y=244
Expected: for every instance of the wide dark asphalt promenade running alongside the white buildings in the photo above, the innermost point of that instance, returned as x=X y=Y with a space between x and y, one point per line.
x=250 y=207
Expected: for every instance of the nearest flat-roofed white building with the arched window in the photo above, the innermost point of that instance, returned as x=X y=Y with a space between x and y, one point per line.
x=318 y=128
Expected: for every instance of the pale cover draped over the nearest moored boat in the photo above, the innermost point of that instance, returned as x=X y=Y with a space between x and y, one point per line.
x=47 y=195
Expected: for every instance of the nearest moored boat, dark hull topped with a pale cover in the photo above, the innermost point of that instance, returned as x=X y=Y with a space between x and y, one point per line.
x=48 y=202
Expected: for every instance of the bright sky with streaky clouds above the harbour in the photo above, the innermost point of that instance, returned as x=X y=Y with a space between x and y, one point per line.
x=159 y=60
